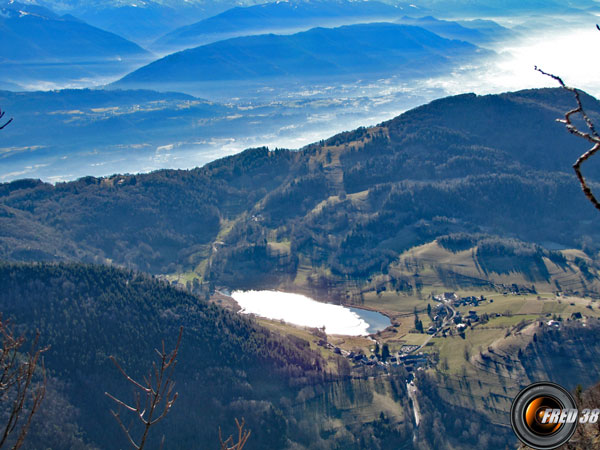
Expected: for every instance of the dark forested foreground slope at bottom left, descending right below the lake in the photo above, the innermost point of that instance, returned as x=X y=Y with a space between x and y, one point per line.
x=228 y=366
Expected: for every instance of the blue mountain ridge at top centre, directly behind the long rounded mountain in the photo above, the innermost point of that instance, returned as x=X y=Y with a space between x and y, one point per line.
x=279 y=17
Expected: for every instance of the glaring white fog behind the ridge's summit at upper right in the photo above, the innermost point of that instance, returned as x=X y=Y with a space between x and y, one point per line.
x=564 y=48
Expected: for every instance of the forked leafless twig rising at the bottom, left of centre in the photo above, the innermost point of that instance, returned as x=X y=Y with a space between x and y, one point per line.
x=156 y=389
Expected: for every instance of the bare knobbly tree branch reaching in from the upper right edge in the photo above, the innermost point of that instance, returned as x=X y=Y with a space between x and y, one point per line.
x=591 y=135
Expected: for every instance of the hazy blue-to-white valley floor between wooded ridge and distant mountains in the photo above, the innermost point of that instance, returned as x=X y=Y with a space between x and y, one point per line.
x=275 y=113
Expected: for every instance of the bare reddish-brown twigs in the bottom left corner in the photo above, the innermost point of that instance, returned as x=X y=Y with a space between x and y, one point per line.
x=17 y=385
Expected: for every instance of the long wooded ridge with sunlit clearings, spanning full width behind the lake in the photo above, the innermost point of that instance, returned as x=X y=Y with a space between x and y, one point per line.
x=497 y=165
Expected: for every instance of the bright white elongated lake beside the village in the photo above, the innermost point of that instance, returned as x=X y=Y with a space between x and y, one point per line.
x=304 y=311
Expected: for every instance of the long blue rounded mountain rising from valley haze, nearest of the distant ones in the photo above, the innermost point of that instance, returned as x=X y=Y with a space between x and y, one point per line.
x=352 y=51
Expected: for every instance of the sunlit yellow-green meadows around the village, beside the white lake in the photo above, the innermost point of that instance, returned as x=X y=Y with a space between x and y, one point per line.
x=505 y=312
